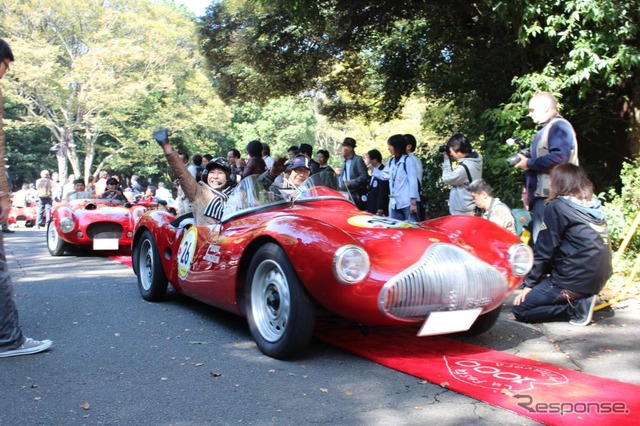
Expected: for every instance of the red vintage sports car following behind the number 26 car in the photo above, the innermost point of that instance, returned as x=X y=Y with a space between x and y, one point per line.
x=94 y=223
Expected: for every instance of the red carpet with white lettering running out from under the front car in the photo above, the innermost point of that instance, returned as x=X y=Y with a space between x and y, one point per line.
x=542 y=392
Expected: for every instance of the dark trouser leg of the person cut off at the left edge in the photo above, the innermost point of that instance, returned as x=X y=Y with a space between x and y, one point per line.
x=10 y=333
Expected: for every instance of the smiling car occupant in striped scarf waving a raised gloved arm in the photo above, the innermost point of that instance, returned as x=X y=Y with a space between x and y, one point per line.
x=207 y=196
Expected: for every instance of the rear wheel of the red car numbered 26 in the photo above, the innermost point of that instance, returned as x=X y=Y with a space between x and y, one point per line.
x=152 y=281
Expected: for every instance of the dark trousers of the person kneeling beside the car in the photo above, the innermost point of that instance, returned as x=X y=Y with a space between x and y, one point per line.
x=546 y=302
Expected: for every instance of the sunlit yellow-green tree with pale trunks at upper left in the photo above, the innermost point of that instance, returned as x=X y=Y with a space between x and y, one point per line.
x=100 y=77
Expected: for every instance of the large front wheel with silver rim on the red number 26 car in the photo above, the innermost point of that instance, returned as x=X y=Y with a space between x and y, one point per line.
x=280 y=313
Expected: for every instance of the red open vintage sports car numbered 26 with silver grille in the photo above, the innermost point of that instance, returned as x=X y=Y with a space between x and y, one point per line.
x=280 y=255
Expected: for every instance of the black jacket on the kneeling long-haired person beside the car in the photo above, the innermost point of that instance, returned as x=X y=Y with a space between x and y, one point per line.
x=573 y=247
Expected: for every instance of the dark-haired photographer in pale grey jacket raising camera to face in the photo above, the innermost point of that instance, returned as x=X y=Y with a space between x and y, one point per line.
x=468 y=169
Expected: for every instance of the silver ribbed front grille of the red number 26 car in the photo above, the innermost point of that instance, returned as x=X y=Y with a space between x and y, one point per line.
x=446 y=278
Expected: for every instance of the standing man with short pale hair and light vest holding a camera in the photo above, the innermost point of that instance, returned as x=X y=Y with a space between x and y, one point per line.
x=555 y=143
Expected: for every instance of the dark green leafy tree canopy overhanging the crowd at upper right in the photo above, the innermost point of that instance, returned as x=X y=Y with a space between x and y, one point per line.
x=477 y=61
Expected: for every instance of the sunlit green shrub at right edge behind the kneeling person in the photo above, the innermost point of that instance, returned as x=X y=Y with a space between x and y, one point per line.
x=622 y=209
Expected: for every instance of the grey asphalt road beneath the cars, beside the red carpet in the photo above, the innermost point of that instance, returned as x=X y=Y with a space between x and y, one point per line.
x=118 y=359
